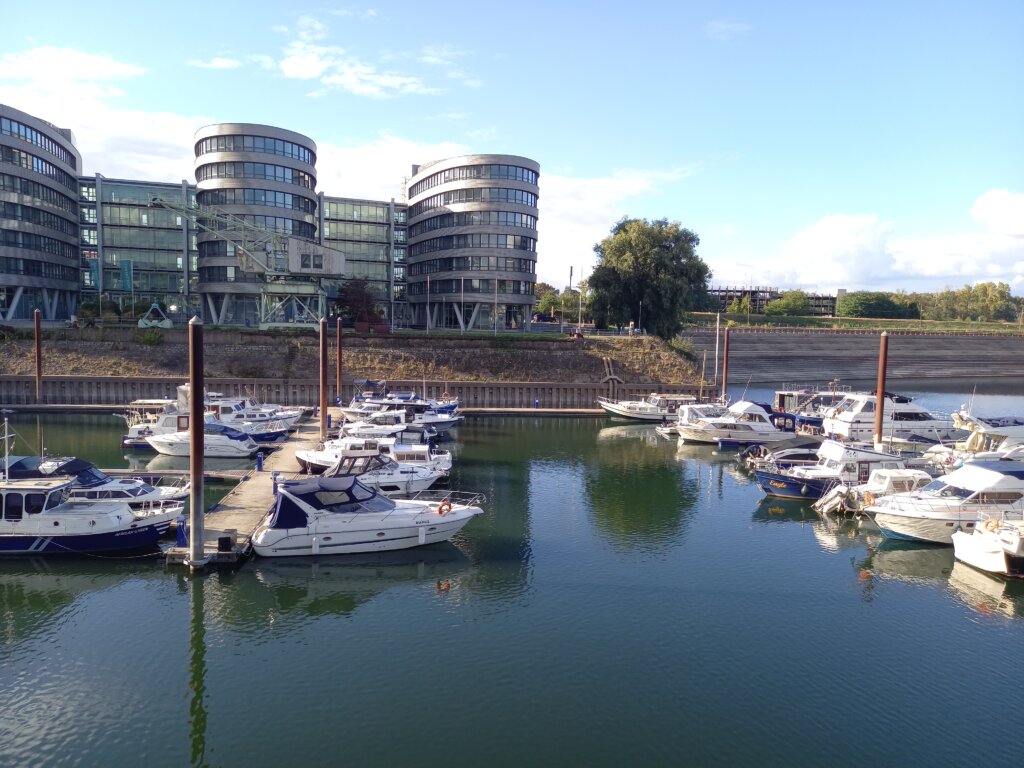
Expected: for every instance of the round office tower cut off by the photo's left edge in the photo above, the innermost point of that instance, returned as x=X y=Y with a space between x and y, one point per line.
x=39 y=219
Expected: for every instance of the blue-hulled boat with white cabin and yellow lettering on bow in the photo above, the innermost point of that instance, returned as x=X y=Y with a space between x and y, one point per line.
x=838 y=463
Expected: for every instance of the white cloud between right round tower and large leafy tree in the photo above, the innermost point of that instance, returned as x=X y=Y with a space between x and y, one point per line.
x=578 y=214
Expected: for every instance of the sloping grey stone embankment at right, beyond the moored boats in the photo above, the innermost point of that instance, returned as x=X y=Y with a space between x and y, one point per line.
x=771 y=356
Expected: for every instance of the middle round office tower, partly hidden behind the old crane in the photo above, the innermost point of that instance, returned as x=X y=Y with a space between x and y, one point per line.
x=268 y=177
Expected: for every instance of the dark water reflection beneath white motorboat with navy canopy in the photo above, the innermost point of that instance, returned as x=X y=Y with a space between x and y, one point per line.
x=293 y=589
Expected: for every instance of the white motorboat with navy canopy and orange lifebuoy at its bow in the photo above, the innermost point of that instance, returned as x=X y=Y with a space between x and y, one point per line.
x=340 y=516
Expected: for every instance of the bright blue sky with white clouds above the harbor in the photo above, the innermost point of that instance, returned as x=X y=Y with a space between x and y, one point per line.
x=809 y=145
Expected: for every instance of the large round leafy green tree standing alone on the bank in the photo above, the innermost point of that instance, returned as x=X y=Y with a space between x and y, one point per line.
x=649 y=273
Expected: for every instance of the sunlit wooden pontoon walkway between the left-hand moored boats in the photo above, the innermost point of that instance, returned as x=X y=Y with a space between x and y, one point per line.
x=238 y=515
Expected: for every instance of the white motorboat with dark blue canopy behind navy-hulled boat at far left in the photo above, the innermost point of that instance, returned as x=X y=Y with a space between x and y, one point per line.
x=94 y=486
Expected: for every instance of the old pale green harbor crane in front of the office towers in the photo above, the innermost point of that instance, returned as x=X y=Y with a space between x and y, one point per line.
x=290 y=272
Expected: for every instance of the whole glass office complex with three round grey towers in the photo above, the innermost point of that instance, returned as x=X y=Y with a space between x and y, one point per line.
x=252 y=241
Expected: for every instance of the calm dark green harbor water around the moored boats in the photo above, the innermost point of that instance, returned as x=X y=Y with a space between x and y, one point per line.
x=624 y=602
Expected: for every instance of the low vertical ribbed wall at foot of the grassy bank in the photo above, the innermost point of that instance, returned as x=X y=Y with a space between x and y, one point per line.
x=113 y=391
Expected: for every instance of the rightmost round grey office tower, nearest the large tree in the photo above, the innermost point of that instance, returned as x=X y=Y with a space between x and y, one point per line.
x=473 y=242
